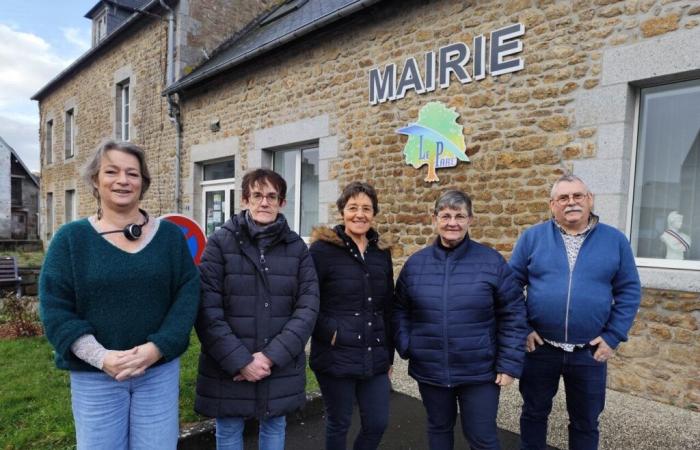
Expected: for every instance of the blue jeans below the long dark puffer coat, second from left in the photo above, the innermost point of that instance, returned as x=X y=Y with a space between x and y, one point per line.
x=229 y=433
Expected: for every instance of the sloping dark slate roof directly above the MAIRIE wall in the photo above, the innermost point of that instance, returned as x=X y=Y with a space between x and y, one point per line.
x=291 y=20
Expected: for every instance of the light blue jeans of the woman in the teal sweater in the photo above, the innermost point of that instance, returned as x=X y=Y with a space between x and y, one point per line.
x=139 y=413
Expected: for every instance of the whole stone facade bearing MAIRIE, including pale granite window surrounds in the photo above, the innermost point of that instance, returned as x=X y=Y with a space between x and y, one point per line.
x=573 y=107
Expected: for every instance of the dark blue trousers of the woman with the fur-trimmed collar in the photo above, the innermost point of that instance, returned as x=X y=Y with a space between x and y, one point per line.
x=339 y=395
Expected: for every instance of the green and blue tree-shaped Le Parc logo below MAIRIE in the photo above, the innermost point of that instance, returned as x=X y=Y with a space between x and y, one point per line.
x=436 y=140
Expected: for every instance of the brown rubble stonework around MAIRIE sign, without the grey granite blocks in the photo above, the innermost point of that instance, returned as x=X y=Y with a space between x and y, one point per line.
x=520 y=128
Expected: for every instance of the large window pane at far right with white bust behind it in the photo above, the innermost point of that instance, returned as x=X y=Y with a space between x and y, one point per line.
x=666 y=204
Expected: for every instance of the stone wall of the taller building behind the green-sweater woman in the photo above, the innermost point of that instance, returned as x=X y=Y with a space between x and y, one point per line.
x=91 y=92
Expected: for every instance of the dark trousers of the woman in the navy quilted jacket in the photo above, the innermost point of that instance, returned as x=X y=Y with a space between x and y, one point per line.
x=478 y=406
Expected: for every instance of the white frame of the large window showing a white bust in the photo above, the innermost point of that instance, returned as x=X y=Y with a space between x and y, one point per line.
x=654 y=263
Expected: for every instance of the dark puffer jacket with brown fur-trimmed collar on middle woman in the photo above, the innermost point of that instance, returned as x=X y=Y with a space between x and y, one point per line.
x=356 y=297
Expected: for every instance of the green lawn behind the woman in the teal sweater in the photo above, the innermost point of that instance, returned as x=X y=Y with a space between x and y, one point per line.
x=35 y=396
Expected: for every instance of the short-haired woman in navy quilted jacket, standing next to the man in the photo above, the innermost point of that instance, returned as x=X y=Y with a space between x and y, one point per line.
x=459 y=318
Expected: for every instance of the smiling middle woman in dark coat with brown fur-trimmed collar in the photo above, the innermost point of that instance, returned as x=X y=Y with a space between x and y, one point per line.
x=351 y=351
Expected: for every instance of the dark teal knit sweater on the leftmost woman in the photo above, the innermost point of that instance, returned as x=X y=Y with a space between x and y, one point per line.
x=89 y=286
